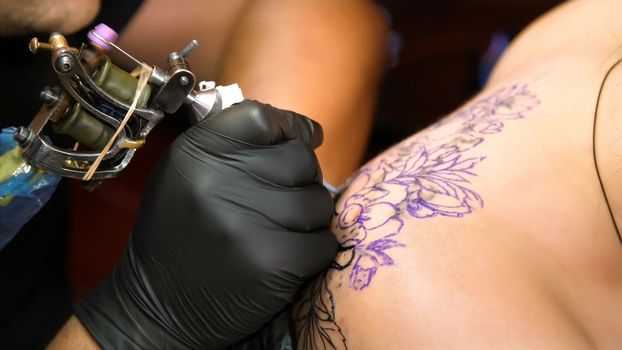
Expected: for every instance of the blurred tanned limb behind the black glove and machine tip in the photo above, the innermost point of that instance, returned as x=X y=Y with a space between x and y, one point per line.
x=321 y=58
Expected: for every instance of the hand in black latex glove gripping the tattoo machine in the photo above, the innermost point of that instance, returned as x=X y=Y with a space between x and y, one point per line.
x=233 y=220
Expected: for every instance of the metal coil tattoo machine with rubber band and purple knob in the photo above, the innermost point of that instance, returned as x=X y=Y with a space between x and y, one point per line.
x=107 y=111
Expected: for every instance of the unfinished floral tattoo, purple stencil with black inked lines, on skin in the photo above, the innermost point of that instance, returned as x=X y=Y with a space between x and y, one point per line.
x=423 y=177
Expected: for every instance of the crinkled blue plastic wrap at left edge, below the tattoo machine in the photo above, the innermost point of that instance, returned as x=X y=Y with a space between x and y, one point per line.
x=24 y=189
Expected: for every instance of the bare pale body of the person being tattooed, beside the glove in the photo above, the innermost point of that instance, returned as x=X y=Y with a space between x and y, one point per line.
x=511 y=246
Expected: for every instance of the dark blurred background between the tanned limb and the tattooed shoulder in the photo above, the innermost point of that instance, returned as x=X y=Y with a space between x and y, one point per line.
x=443 y=41
